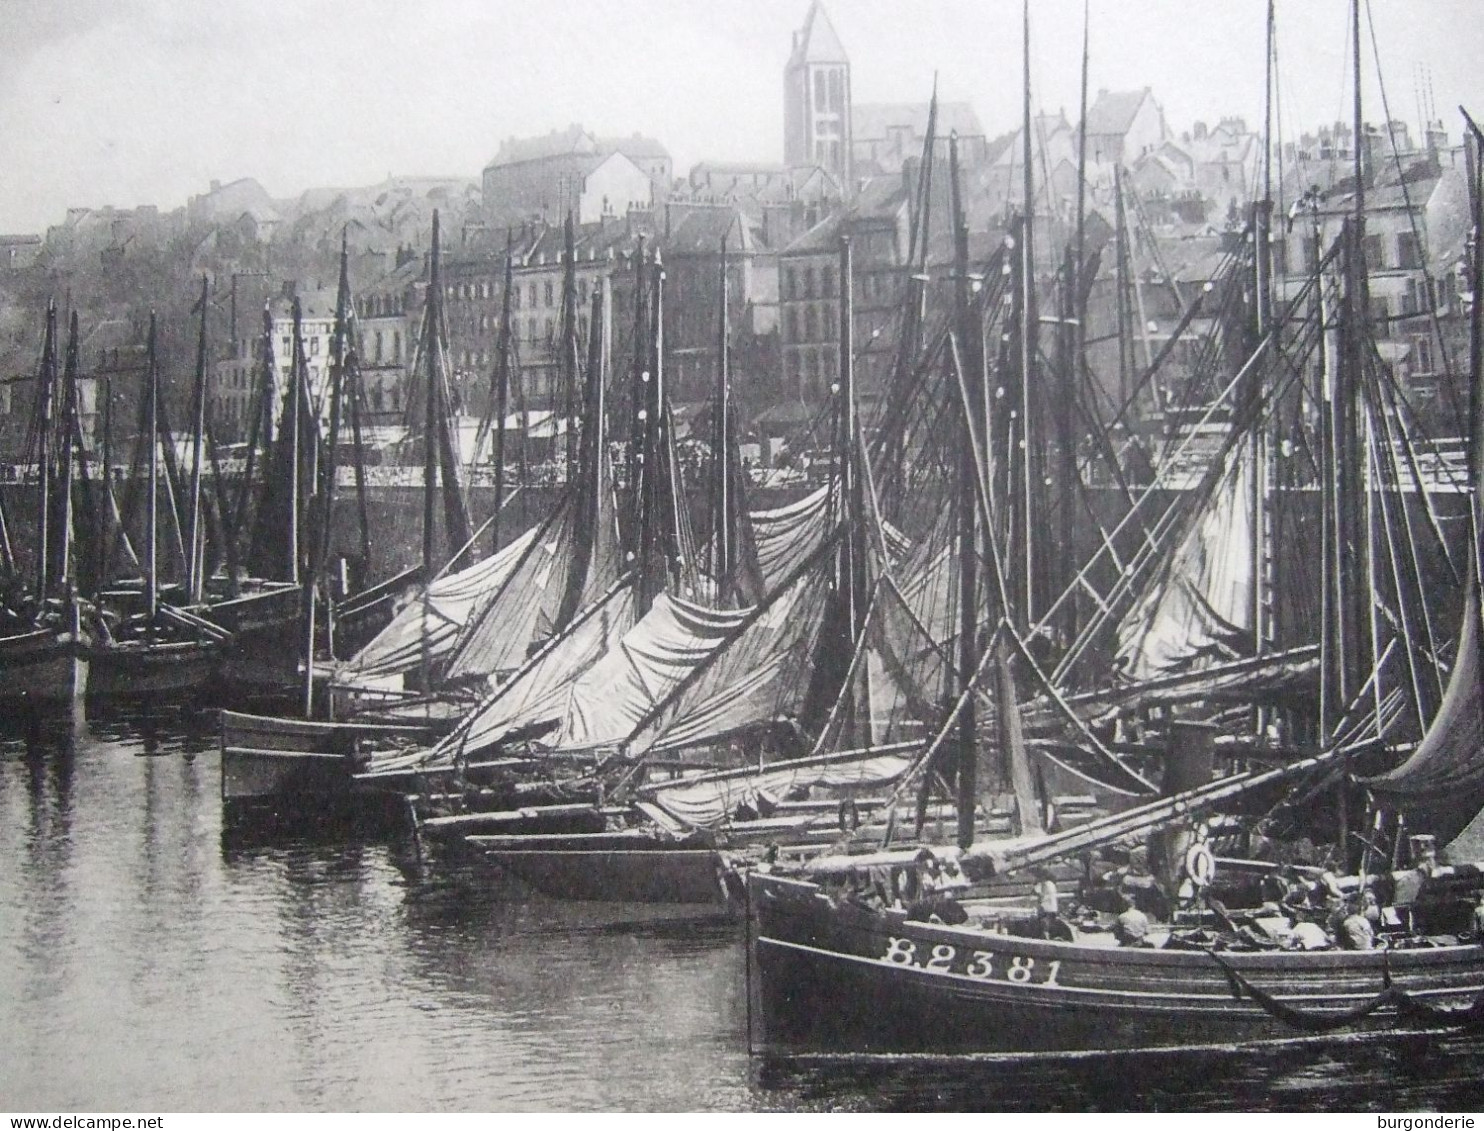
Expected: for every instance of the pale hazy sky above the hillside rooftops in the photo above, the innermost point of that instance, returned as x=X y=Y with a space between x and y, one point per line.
x=148 y=102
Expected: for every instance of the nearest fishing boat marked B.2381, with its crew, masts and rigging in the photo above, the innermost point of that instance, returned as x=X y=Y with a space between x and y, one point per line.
x=1194 y=922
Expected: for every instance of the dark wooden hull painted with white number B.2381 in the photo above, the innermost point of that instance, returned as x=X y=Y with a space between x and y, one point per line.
x=841 y=979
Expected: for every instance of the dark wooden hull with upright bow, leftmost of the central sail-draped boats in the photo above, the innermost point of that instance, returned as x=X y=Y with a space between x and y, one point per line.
x=295 y=764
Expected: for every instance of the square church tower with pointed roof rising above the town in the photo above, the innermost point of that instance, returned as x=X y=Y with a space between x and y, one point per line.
x=817 y=100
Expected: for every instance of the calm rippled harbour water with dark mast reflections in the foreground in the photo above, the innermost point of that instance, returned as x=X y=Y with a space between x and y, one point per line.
x=149 y=963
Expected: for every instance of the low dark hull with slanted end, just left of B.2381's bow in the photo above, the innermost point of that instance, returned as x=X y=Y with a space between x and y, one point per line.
x=611 y=868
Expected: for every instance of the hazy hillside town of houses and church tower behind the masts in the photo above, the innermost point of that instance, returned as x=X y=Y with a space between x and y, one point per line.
x=1164 y=204
